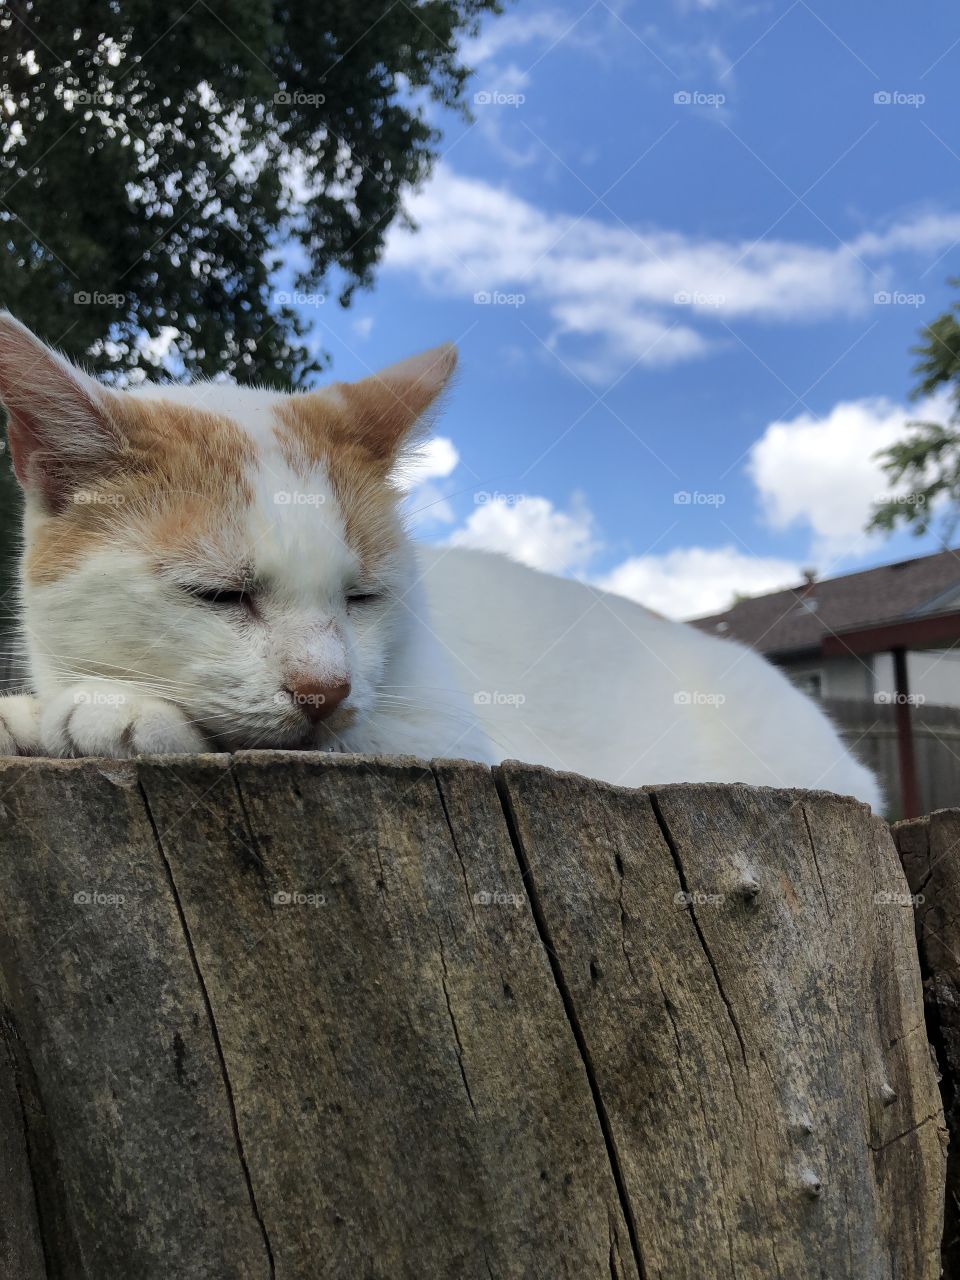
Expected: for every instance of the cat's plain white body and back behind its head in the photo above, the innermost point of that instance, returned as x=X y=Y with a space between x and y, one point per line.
x=565 y=675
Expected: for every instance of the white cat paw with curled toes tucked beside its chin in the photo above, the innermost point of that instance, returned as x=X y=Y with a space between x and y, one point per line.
x=112 y=720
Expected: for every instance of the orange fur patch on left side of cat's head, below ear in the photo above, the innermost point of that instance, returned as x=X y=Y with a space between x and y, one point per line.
x=173 y=482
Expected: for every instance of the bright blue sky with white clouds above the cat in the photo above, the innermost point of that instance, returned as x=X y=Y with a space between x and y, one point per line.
x=710 y=234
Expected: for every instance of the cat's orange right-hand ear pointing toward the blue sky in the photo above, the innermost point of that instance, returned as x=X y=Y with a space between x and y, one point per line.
x=386 y=408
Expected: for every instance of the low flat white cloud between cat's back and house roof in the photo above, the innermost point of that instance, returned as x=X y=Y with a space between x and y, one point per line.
x=696 y=580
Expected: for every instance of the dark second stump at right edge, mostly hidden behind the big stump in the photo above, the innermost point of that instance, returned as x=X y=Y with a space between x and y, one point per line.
x=930 y=849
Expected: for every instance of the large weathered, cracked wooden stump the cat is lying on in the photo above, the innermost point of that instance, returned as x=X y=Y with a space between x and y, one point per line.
x=307 y=1017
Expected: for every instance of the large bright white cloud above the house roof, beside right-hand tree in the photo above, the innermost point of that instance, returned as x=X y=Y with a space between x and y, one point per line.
x=824 y=473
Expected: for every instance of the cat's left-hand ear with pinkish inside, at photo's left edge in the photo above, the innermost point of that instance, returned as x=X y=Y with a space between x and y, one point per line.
x=58 y=419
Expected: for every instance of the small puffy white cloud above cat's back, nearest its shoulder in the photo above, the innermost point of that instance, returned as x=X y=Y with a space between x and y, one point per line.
x=534 y=532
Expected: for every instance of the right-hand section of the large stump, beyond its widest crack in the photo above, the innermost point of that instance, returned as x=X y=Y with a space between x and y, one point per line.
x=753 y=1018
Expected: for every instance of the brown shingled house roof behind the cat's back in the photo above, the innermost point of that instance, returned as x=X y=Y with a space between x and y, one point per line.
x=799 y=619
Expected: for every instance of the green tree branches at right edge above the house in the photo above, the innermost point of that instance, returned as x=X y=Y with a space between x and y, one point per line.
x=927 y=463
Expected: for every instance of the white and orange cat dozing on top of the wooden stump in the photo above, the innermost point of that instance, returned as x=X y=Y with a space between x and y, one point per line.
x=218 y=568
